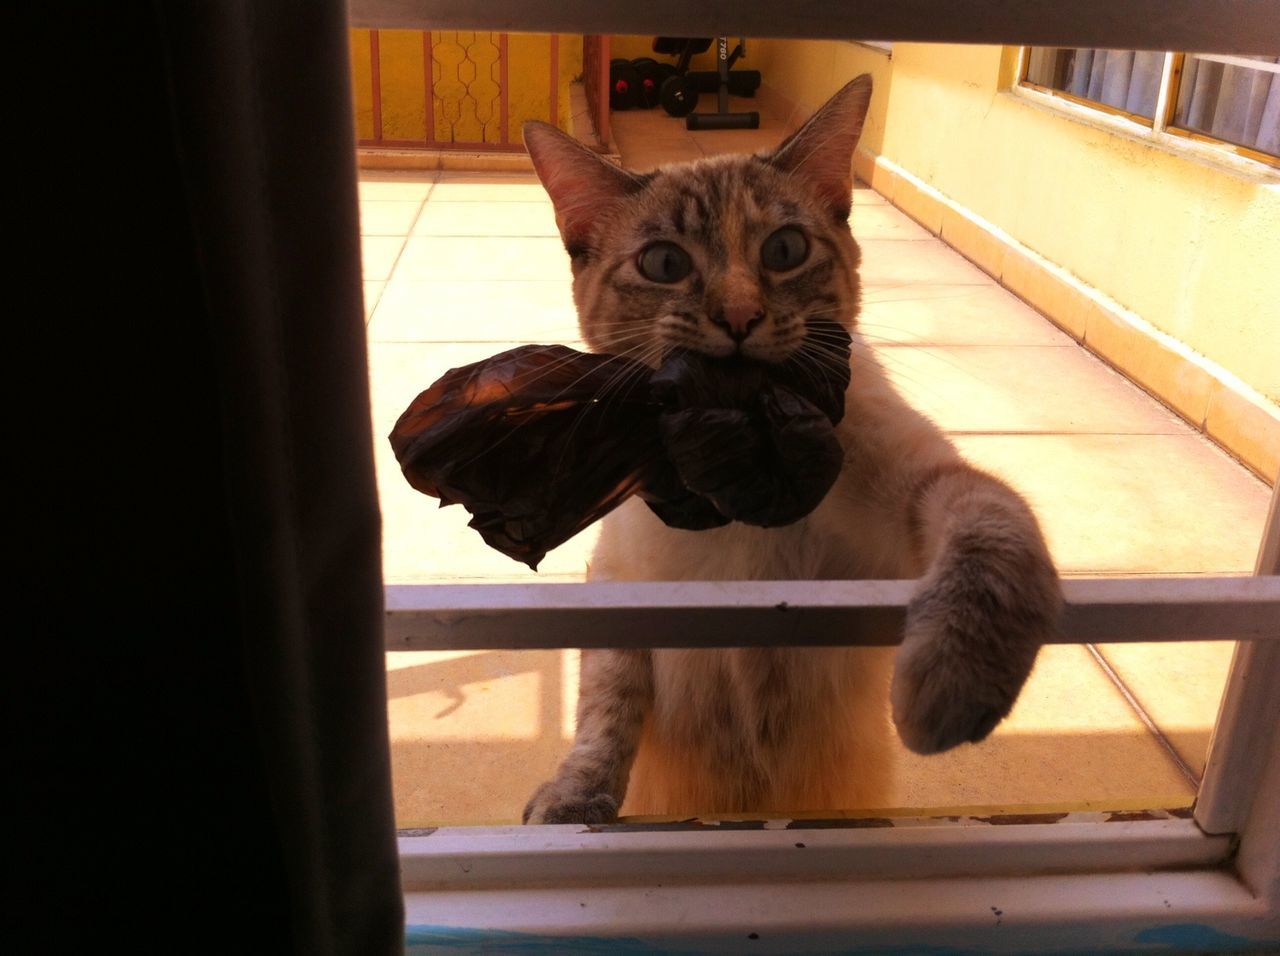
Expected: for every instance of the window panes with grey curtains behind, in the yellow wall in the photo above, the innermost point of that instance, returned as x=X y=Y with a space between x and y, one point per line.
x=1228 y=100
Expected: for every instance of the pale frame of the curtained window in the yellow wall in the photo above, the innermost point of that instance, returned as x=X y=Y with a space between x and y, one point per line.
x=1160 y=130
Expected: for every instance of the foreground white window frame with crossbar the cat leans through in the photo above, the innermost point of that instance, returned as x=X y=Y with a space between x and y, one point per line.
x=1086 y=882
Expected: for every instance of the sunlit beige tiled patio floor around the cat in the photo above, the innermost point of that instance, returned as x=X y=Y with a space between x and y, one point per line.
x=460 y=267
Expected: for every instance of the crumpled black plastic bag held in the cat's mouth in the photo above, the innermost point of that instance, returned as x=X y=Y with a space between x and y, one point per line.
x=541 y=442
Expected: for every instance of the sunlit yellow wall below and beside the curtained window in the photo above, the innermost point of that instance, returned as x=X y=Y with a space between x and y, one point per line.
x=1190 y=246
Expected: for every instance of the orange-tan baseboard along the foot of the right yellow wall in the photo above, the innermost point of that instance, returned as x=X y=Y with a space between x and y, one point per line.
x=1213 y=400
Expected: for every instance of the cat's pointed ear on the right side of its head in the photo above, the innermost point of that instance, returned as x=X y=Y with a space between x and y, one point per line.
x=822 y=152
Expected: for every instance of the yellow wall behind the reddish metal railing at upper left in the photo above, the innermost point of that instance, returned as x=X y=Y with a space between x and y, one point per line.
x=465 y=76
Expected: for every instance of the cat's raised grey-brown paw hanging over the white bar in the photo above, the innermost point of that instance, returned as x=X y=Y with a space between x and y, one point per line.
x=962 y=666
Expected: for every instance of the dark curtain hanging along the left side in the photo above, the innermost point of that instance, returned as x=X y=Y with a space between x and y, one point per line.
x=202 y=754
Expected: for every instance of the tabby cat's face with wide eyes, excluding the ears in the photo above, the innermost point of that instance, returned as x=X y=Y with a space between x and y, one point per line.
x=723 y=257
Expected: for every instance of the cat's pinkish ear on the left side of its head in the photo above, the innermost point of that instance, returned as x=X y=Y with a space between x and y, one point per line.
x=582 y=184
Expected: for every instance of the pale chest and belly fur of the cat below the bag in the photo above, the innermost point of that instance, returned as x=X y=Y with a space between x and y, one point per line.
x=794 y=728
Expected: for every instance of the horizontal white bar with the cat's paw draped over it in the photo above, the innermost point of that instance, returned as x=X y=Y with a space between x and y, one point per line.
x=799 y=614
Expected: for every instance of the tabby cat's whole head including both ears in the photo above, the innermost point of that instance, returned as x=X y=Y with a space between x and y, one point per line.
x=730 y=255
